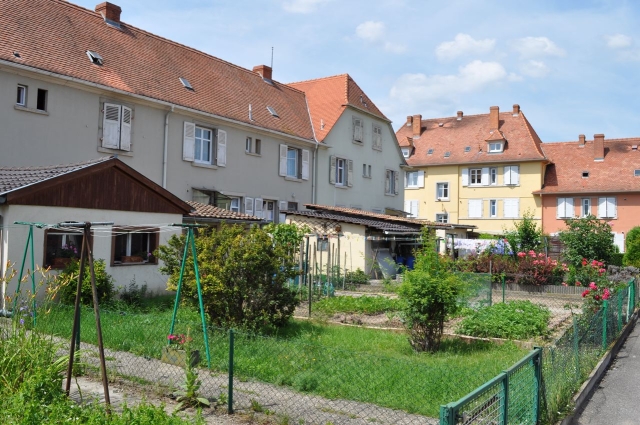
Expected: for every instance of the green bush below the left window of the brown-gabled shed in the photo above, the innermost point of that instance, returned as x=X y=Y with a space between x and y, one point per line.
x=68 y=281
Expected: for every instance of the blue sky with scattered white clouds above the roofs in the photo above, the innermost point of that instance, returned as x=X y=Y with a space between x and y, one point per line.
x=572 y=66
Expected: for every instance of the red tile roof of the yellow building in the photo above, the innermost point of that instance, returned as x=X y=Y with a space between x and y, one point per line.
x=450 y=135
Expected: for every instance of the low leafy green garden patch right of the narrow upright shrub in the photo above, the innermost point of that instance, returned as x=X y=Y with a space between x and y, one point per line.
x=511 y=320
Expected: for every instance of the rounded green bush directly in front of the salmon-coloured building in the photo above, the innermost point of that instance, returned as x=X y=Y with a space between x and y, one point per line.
x=588 y=238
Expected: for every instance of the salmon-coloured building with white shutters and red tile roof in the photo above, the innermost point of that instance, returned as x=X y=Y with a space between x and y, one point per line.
x=592 y=177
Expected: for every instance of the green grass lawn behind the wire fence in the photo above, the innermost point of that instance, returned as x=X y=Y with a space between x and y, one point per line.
x=352 y=363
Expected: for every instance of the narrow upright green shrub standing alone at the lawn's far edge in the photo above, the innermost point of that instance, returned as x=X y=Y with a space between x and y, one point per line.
x=430 y=295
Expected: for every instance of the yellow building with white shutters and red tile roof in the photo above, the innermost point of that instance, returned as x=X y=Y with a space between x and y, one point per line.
x=477 y=170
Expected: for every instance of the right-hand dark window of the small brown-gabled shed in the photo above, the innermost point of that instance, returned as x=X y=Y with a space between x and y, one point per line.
x=134 y=245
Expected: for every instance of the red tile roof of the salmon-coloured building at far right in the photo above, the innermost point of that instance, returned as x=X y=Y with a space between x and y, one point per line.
x=614 y=174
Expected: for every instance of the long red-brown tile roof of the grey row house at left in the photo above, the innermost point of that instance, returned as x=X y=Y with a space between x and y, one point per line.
x=54 y=35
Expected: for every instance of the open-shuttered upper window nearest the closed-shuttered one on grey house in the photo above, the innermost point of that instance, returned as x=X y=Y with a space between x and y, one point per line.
x=202 y=145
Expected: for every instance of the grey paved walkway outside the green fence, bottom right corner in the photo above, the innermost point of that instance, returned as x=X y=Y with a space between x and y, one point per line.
x=617 y=400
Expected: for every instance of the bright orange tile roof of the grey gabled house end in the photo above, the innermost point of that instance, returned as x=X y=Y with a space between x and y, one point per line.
x=328 y=98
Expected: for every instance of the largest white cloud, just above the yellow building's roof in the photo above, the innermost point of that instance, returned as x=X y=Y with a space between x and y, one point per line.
x=415 y=89
